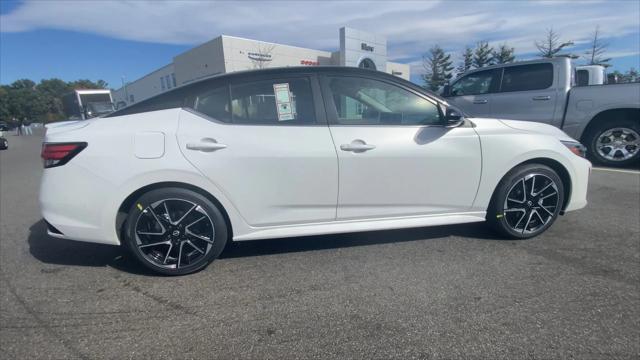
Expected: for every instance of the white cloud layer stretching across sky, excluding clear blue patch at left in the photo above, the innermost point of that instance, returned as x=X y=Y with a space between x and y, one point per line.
x=411 y=26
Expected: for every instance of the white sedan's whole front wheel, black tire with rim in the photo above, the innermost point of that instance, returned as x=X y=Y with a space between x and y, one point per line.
x=538 y=214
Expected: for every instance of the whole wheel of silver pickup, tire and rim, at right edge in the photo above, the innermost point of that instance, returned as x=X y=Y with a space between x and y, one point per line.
x=614 y=143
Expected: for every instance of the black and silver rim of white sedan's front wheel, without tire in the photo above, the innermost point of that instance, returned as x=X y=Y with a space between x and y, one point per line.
x=531 y=203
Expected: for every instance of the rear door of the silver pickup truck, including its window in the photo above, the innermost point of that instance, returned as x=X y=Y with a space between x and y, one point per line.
x=526 y=92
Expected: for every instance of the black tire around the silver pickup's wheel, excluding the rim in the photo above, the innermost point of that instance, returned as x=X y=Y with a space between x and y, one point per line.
x=597 y=131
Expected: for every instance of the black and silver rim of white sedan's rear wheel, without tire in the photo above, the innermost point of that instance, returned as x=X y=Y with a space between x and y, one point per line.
x=174 y=233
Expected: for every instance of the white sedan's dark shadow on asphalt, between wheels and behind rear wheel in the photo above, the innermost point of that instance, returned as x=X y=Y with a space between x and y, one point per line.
x=56 y=251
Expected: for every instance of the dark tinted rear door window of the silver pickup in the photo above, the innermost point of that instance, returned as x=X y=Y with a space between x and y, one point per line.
x=527 y=77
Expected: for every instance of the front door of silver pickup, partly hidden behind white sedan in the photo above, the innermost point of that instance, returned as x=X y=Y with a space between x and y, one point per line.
x=473 y=92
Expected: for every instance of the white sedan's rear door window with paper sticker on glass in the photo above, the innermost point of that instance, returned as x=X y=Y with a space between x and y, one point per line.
x=273 y=102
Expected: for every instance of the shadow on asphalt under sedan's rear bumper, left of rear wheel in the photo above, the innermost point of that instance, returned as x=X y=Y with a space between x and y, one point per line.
x=50 y=250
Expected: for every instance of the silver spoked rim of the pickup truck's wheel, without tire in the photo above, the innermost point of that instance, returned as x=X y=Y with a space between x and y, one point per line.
x=618 y=144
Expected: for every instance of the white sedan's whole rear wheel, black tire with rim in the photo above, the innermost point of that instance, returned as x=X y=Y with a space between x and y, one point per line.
x=194 y=223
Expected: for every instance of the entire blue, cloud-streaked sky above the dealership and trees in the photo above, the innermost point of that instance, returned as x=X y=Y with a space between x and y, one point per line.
x=116 y=40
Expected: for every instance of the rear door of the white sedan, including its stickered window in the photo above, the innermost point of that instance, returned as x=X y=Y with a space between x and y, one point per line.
x=266 y=145
